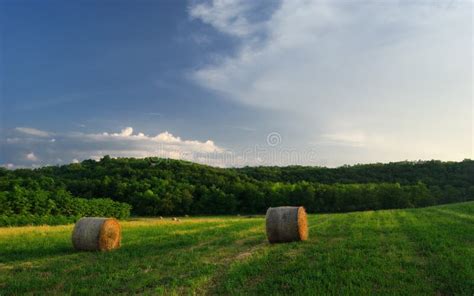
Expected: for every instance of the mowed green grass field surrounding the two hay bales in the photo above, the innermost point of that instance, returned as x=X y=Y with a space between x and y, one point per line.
x=426 y=251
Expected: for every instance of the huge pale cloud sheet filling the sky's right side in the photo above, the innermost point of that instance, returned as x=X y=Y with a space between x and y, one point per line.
x=392 y=70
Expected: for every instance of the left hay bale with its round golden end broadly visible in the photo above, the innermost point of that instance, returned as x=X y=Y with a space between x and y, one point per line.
x=93 y=234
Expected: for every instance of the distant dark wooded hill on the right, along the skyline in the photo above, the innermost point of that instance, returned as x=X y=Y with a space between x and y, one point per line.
x=433 y=172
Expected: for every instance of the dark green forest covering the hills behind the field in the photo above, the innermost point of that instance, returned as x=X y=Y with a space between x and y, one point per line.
x=154 y=186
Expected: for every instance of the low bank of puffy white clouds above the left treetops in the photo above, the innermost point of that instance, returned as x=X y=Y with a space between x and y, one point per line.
x=126 y=143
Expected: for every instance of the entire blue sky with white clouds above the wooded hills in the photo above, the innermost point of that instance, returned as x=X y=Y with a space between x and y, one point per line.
x=234 y=83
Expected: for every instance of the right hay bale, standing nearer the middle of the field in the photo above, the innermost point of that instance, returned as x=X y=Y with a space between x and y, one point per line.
x=286 y=224
